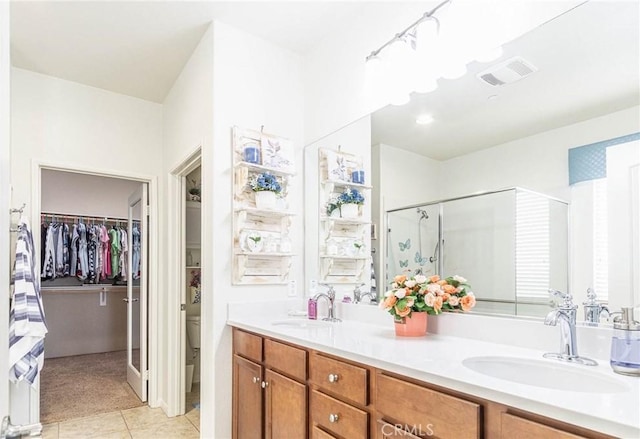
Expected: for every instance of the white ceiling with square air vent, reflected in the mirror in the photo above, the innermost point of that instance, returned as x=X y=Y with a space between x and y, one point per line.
x=589 y=65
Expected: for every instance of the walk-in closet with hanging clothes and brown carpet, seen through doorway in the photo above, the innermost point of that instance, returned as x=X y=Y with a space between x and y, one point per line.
x=90 y=250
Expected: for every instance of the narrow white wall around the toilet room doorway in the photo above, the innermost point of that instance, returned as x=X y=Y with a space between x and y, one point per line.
x=187 y=126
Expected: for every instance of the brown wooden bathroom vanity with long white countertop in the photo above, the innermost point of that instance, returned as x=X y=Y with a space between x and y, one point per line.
x=357 y=380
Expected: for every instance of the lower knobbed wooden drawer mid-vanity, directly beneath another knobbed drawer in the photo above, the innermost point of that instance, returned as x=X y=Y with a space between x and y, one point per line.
x=337 y=417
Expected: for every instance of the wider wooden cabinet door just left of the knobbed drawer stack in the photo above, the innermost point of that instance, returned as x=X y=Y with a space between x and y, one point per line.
x=285 y=407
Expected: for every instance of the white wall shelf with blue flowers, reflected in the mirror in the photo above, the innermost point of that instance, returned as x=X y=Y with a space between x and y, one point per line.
x=343 y=244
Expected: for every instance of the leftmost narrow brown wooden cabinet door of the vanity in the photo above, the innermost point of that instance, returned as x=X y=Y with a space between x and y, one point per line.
x=247 y=399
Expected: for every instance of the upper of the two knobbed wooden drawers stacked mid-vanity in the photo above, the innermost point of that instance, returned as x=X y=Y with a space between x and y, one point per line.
x=340 y=378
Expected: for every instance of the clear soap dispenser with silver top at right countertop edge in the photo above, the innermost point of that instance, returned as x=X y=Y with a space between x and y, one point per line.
x=625 y=344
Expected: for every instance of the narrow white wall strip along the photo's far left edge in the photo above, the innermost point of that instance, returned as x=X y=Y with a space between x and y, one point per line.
x=5 y=192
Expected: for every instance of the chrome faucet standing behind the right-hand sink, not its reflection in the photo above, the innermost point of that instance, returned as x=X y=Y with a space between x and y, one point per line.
x=565 y=315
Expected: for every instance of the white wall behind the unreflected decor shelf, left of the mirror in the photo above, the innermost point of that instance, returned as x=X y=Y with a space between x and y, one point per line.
x=255 y=84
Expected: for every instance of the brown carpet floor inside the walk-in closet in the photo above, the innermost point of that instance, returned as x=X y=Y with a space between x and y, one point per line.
x=85 y=385
